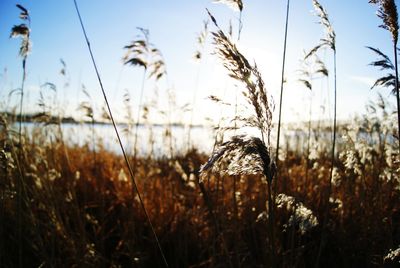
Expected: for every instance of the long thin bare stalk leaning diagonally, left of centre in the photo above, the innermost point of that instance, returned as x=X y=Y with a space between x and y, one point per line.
x=119 y=139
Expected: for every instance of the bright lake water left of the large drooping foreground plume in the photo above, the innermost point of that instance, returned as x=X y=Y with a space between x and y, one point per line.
x=151 y=139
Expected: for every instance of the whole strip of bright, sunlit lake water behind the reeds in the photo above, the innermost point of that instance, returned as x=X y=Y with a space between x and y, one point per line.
x=152 y=139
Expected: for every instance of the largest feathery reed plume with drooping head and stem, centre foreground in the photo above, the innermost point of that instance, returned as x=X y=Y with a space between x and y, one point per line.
x=242 y=153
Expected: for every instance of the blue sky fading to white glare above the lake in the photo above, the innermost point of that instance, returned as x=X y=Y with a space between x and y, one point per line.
x=174 y=26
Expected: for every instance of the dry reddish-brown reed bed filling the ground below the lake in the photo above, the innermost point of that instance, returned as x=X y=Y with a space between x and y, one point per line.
x=83 y=212
